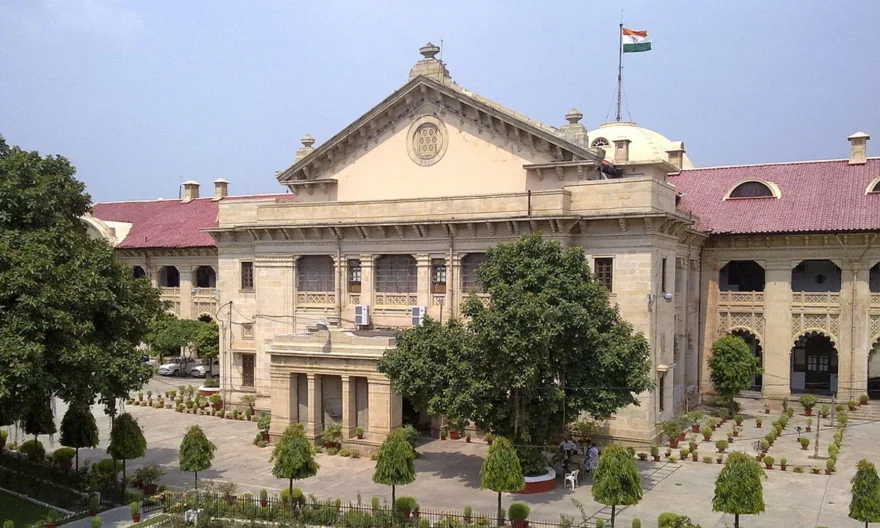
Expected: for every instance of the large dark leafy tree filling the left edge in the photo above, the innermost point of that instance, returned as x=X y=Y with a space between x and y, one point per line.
x=71 y=316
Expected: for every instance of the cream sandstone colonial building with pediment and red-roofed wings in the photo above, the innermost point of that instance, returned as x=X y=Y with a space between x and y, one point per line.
x=397 y=210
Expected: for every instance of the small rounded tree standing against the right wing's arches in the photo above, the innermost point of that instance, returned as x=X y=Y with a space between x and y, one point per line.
x=731 y=367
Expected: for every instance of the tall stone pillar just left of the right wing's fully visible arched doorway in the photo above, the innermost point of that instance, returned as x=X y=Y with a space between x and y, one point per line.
x=778 y=340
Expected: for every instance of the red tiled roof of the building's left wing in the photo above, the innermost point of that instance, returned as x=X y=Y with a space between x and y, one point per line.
x=169 y=223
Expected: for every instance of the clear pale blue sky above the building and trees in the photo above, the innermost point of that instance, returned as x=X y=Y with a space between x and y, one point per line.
x=141 y=96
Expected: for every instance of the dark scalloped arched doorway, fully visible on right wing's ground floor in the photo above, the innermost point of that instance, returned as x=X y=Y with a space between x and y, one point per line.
x=814 y=364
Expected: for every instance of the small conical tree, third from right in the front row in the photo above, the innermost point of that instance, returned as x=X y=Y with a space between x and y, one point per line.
x=617 y=481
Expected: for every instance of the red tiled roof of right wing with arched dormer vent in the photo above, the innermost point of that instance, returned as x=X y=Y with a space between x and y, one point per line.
x=816 y=196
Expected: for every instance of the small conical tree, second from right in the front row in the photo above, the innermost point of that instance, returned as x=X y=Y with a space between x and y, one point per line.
x=738 y=488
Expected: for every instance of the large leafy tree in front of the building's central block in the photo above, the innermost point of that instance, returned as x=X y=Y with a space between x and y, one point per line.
x=548 y=347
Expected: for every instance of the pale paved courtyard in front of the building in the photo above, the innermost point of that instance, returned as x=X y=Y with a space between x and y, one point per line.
x=448 y=473
